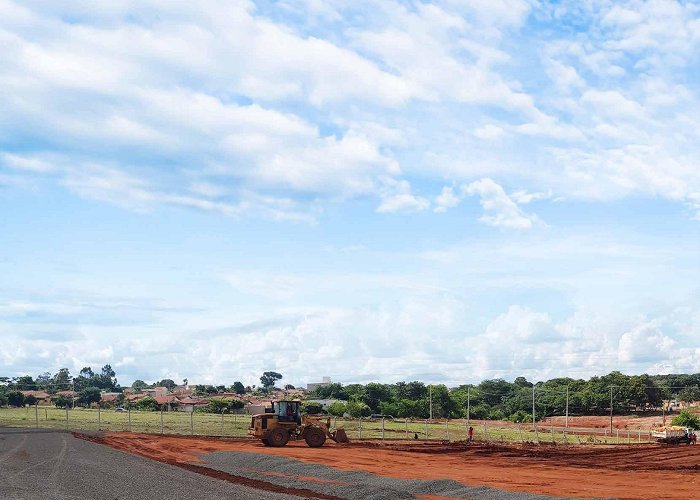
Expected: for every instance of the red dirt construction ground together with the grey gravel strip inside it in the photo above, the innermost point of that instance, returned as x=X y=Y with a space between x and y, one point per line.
x=407 y=469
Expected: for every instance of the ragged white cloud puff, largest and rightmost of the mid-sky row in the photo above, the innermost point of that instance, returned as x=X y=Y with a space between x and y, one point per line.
x=499 y=209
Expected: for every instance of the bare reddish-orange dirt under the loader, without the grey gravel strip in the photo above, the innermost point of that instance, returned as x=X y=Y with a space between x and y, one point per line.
x=627 y=472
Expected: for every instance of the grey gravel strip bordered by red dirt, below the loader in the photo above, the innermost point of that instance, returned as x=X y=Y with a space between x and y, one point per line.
x=353 y=485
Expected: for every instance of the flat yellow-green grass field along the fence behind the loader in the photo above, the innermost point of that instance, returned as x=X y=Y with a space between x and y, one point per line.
x=237 y=426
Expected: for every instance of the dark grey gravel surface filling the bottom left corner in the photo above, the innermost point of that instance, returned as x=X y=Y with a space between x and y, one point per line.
x=47 y=465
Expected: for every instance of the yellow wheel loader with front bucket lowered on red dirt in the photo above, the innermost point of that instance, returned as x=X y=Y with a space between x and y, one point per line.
x=283 y=421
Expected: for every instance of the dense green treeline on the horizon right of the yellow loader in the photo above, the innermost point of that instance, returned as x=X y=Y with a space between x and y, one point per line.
x=497 y=399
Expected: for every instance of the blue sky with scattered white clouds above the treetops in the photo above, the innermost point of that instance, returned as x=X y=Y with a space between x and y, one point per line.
x=443 y=191
